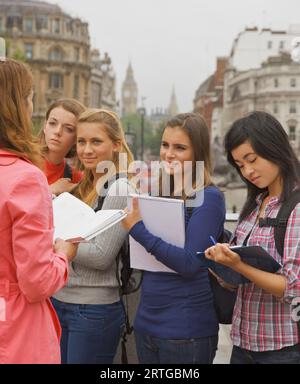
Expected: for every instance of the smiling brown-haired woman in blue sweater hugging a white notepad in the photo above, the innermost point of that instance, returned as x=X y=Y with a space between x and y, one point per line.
x=176 y=321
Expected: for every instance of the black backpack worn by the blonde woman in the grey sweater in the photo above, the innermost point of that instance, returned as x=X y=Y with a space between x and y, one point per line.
x=129 y=279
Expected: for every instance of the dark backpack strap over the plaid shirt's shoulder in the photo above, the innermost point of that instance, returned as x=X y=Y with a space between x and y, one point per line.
x=281 y=220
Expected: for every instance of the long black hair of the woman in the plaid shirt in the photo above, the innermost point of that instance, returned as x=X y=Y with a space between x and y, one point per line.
x=270 y=141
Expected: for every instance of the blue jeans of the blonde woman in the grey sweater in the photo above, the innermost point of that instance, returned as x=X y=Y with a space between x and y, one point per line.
x=90 y=333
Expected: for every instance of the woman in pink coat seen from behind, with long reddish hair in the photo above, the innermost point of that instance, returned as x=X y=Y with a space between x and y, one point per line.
x=31 y=269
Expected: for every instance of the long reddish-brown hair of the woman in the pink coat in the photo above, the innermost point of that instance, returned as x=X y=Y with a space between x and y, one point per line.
x=16 y=83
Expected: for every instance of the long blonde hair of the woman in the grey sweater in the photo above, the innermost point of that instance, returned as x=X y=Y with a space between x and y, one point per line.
x=112 y=124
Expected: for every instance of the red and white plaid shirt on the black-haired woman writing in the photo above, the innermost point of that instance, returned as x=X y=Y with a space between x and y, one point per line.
x=261 y=322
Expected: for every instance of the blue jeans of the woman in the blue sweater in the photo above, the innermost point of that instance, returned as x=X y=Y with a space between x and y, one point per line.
x=152 y=350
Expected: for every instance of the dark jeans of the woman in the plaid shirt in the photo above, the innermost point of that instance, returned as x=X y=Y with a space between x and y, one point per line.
x=287 y=355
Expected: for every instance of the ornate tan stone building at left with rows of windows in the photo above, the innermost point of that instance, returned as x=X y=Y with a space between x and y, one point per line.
x=57 y=48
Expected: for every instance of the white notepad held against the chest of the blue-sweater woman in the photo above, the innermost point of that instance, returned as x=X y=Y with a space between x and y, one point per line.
x=163 y=218
